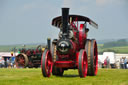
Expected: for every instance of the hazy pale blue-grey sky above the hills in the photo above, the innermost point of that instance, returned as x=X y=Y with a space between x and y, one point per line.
x=29 y=21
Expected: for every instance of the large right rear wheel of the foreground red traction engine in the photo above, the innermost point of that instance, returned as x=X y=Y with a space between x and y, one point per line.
x=92 y=54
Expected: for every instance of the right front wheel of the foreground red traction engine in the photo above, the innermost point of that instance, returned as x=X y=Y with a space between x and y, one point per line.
x=82 y=63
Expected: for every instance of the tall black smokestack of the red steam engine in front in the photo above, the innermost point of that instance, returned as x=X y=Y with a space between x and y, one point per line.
x=65 y=17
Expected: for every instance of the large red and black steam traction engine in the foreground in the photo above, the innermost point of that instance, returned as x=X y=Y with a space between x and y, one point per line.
x=72 y=50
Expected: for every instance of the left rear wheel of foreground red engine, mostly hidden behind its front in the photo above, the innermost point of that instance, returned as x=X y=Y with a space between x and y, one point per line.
x=56 y=71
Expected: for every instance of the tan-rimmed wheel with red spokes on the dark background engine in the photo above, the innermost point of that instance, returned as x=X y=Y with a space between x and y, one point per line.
x=21 y=60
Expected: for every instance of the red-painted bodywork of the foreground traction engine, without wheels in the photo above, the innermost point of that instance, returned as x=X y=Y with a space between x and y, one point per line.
x=71 y=59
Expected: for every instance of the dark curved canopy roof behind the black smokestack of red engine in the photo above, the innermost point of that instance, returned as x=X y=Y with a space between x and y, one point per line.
x=57 y=20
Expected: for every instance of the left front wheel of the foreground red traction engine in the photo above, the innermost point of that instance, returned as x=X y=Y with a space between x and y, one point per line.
x=46 y=63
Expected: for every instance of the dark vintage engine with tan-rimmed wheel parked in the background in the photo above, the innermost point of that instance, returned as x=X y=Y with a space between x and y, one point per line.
x=29 y=57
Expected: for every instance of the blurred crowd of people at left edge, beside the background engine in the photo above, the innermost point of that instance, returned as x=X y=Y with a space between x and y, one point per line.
x=8 y=63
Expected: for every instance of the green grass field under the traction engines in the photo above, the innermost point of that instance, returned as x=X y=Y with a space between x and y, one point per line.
x=34 y=77
